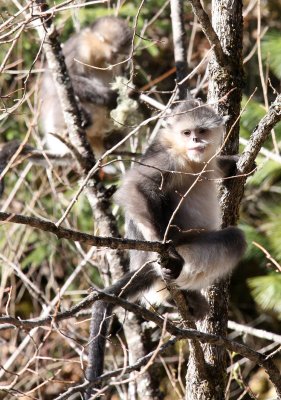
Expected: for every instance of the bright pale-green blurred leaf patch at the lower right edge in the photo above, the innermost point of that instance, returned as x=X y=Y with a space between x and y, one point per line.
x=266 y=291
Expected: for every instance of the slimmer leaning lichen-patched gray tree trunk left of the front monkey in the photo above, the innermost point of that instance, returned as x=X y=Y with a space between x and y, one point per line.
x=96 y=193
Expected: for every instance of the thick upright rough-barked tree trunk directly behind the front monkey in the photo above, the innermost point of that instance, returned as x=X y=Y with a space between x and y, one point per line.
x=226 y=83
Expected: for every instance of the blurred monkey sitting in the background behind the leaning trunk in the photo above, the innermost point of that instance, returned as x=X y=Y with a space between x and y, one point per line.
x=89 y=56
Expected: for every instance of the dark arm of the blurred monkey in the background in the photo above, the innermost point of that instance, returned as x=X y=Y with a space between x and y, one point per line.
x=93 y=91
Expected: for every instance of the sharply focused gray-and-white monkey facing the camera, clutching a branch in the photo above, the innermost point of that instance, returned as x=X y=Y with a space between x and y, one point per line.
x=171 y=194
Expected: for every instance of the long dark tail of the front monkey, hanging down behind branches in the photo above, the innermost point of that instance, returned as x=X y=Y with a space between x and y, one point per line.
x=129 y=287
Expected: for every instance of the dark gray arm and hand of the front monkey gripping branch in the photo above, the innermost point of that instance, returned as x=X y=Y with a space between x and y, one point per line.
x=146 y=210
